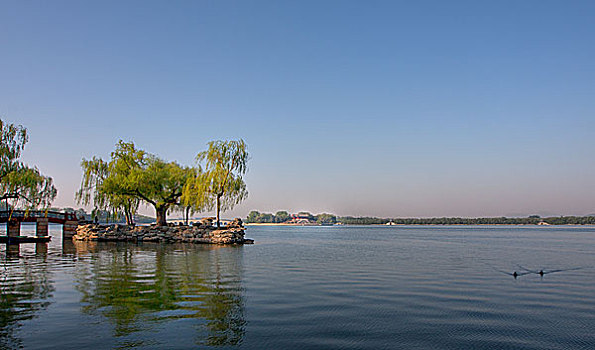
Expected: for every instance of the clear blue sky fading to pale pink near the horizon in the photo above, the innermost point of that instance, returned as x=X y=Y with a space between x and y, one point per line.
x=363 y=108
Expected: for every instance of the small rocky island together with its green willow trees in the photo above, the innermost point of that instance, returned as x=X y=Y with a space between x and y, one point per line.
x=133 y=176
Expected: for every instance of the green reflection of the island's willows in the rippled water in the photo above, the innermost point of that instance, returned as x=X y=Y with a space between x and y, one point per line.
x=148 y=287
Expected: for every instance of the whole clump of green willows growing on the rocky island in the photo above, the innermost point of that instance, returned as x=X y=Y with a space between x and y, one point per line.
x=133 y=176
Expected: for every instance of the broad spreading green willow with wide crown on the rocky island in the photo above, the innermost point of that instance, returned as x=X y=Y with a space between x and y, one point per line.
x=133 y=176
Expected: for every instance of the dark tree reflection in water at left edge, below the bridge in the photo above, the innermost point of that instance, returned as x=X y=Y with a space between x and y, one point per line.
x=25 y=289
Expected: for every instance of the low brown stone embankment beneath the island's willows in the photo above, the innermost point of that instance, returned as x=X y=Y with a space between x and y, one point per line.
x=203 y=232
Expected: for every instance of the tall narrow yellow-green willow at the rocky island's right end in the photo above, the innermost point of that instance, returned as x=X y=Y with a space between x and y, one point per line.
x=221 y=185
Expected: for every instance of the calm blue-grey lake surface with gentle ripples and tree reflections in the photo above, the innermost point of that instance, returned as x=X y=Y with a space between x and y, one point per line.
x=307 y=287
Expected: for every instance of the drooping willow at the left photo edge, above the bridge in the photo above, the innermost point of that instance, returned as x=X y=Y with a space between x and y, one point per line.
x=19 y=183
